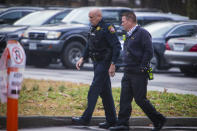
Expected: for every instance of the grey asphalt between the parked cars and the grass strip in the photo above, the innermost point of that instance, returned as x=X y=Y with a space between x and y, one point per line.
x=171 y=81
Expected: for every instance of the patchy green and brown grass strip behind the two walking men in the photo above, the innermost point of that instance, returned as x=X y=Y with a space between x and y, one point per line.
x=58 y=98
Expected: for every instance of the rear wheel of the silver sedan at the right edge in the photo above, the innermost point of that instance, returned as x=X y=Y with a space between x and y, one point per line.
x=188 y=70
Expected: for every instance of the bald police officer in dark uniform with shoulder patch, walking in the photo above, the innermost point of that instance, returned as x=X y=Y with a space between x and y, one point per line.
x=103 y=48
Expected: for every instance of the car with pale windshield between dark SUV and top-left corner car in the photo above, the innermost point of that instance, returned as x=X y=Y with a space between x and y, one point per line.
x=37 y=18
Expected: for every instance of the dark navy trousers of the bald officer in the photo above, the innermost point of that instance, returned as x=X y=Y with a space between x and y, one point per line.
x=101 y=85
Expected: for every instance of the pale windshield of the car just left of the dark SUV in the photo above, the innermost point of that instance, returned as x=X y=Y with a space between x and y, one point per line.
x=36 y=18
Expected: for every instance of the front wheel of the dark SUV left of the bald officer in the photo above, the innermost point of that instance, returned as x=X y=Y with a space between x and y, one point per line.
x=72 y=53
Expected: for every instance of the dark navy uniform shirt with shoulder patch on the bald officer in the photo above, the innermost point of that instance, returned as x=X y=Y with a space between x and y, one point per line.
x=101 y=38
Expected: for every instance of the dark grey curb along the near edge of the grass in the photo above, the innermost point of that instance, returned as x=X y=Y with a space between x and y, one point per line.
x=49 y=121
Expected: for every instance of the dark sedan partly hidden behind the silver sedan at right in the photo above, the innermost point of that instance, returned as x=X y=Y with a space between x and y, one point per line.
x=161 y=32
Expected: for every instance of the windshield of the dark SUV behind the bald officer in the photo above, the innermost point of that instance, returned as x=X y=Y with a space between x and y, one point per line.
x=77 y=16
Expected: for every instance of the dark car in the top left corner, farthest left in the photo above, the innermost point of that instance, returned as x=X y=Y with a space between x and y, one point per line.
x=12 y=14
